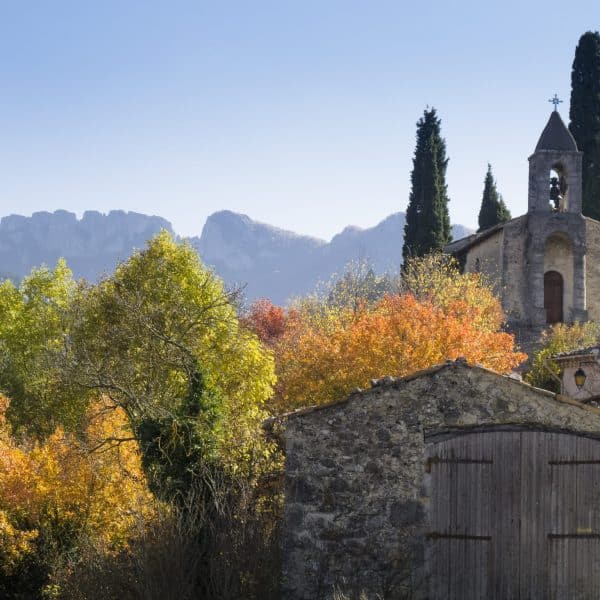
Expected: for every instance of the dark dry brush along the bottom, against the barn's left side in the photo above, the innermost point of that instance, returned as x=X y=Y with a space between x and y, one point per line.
x=223 y=544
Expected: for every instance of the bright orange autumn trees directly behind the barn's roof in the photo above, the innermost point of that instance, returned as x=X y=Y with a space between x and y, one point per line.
x=325 y=351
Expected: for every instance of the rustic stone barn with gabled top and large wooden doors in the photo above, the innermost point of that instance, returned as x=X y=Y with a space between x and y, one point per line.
x=453 y=483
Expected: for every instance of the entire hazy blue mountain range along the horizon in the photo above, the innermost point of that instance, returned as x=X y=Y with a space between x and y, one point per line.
x=268 y=261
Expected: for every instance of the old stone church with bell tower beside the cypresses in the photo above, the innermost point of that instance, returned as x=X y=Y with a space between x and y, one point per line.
x=545 y=265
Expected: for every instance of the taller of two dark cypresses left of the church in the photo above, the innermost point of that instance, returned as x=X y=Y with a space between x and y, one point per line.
x=427 y=226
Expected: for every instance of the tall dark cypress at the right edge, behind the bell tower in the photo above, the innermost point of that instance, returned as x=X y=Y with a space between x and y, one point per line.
x=585 y=117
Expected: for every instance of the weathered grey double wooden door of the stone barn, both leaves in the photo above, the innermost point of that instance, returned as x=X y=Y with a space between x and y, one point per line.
x=514 y=515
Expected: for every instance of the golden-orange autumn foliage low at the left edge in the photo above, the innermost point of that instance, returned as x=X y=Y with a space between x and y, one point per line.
x=70 y=486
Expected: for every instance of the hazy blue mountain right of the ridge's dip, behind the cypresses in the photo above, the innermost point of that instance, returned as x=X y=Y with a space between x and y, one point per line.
x=279 y=264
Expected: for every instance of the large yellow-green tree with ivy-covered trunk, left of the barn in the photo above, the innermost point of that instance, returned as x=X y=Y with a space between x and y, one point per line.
x=161 y=339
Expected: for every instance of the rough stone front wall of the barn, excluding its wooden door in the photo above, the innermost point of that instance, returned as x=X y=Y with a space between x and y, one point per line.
x=356 y=509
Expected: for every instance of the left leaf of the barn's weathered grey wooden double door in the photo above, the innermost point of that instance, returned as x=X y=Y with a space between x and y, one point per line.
x=475 y=495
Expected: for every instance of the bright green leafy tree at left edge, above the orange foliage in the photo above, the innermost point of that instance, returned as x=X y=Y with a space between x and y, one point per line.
x=33 y=329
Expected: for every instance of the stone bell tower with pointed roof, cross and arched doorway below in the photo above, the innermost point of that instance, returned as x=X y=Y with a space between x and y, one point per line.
x=555 y=265
